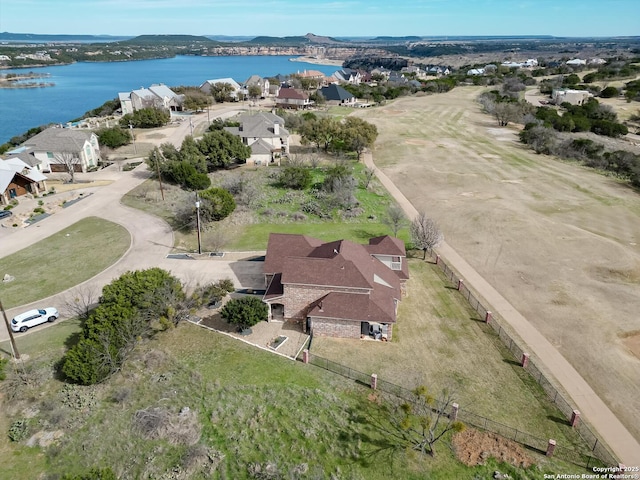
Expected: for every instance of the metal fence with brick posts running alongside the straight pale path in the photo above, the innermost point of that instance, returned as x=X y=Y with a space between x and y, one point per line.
x=595 y=445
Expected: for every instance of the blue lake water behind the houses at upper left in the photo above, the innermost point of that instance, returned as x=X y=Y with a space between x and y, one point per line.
x=83 y=86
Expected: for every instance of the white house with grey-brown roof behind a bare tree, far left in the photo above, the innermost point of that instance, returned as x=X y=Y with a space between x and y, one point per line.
x=56 y=147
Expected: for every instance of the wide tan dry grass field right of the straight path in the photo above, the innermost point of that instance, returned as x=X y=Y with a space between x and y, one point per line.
x=560 y=242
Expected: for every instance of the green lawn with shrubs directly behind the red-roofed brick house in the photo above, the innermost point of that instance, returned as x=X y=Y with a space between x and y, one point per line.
x=273 y=211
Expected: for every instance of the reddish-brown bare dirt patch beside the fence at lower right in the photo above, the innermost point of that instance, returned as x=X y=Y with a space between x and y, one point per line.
x=473 y=447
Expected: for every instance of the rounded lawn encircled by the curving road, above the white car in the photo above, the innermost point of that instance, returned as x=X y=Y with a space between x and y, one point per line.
x=62 y=260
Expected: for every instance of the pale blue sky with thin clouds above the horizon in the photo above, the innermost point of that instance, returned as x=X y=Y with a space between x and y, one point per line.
x=338 y=18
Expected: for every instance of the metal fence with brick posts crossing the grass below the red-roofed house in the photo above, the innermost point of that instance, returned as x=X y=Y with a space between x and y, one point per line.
x=576 y=457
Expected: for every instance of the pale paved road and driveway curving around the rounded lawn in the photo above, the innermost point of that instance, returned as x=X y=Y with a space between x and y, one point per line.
x=151 y=237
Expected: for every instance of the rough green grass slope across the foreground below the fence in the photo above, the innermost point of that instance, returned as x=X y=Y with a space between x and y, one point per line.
x=254 y=411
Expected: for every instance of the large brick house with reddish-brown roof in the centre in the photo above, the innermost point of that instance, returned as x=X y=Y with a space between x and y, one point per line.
x=337 y=289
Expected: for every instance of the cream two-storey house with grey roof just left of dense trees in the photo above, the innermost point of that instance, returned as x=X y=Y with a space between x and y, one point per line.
x=265 y=133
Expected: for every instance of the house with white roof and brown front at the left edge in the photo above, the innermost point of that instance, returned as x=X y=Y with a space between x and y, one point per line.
x=17 y=179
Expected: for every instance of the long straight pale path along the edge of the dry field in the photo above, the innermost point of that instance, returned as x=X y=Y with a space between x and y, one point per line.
x=590 y=405
